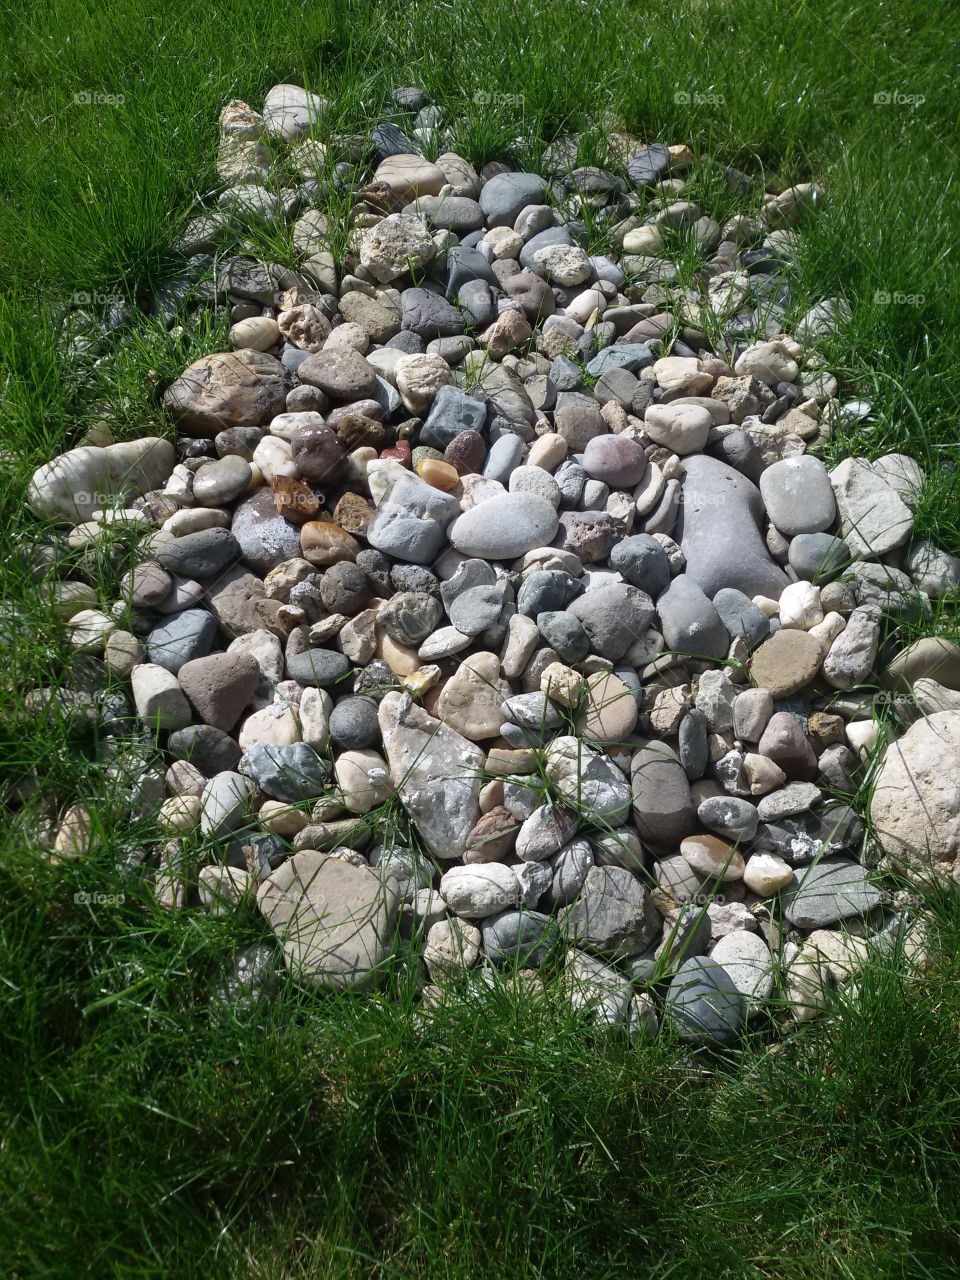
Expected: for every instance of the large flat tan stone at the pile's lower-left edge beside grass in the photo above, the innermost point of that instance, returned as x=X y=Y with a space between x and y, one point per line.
x=335 y=921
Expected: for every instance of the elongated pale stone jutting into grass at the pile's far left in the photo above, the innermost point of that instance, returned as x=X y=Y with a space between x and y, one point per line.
x=80 y=483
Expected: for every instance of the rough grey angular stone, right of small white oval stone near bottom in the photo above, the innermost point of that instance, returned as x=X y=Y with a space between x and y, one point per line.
x=614 y=915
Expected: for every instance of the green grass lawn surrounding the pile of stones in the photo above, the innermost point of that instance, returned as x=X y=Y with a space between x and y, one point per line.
x=150 y=1132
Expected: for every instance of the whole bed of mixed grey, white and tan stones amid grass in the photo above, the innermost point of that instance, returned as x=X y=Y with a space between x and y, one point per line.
x=479 y=538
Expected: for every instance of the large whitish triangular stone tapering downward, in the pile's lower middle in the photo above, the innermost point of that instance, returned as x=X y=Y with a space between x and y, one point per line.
x=437 y=774
